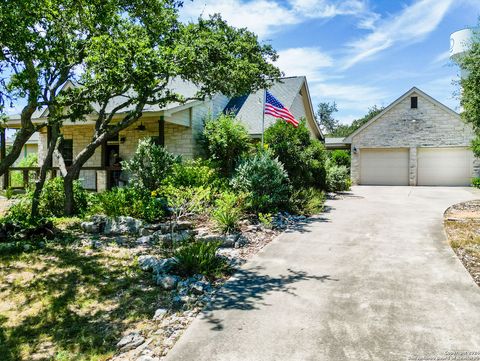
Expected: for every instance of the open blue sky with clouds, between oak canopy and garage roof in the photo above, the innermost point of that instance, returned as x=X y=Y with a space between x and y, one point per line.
x=356 y=52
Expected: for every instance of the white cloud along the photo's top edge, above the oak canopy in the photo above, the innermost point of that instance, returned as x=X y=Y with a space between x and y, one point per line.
x=265 y=17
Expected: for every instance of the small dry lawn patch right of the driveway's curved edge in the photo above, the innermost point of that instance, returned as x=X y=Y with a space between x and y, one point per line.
x=462 y=224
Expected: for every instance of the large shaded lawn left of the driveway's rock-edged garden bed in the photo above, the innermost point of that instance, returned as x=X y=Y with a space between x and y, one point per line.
x=71 y=301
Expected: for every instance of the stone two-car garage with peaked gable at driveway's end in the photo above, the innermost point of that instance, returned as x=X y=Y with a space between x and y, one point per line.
x=416 y=140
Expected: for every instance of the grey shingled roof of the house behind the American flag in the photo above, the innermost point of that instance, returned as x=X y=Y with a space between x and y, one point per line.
x=249 y=108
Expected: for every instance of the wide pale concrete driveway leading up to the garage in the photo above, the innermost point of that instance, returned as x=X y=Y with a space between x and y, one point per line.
x=371 y=279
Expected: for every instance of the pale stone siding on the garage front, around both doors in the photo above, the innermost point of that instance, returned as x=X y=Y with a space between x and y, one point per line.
x=434 y=127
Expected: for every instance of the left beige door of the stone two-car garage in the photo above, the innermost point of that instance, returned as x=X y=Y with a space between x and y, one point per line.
x=384 y=166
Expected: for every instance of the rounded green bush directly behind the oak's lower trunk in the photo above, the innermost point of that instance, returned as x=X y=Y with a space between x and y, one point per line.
x=52 y=199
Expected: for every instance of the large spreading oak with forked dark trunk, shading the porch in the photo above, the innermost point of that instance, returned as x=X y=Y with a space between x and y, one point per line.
x=121 y=57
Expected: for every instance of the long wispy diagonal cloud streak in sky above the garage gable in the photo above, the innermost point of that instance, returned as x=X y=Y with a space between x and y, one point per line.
x=412 y=24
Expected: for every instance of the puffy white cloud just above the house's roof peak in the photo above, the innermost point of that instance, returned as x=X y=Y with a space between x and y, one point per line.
x=303 y=61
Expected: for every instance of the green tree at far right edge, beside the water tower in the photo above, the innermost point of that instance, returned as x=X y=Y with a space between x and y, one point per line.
x=470 y=93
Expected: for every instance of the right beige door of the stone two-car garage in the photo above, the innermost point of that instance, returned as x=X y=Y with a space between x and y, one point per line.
x=444 y=166
